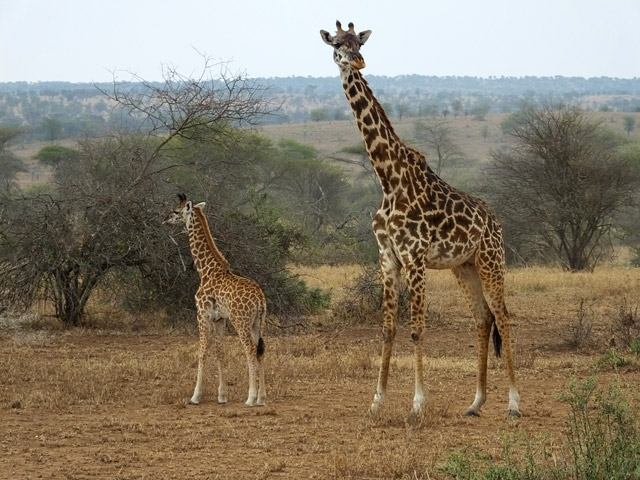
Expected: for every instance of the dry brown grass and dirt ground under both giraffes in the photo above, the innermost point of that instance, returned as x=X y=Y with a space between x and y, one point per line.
x=110 y=400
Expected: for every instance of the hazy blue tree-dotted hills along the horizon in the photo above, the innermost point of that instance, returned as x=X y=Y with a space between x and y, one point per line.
x=81 y=107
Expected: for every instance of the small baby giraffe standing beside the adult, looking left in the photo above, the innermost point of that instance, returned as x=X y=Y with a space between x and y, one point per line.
x=223 y=295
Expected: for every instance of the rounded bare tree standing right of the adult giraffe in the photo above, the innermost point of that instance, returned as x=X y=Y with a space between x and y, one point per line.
x=560 y=186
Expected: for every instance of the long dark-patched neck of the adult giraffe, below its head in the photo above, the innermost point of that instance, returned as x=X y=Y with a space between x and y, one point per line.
x=388 y=154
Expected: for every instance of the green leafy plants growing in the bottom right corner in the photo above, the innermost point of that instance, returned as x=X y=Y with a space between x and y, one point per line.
x=602 y=443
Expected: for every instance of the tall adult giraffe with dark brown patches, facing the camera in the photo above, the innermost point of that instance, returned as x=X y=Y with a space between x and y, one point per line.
x=424 y=223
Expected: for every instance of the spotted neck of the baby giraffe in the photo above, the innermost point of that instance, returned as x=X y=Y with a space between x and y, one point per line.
x=206 y=256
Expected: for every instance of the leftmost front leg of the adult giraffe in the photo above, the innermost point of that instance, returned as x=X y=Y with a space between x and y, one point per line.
x=391 y=279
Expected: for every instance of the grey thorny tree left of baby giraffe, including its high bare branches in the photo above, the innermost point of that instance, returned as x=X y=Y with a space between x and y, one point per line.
x=103 y=210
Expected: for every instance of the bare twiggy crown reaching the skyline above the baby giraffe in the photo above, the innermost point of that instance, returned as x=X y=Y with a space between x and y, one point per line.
x=187 y=108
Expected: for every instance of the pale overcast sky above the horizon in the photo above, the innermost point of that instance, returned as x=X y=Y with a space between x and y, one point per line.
x=87 y=40
